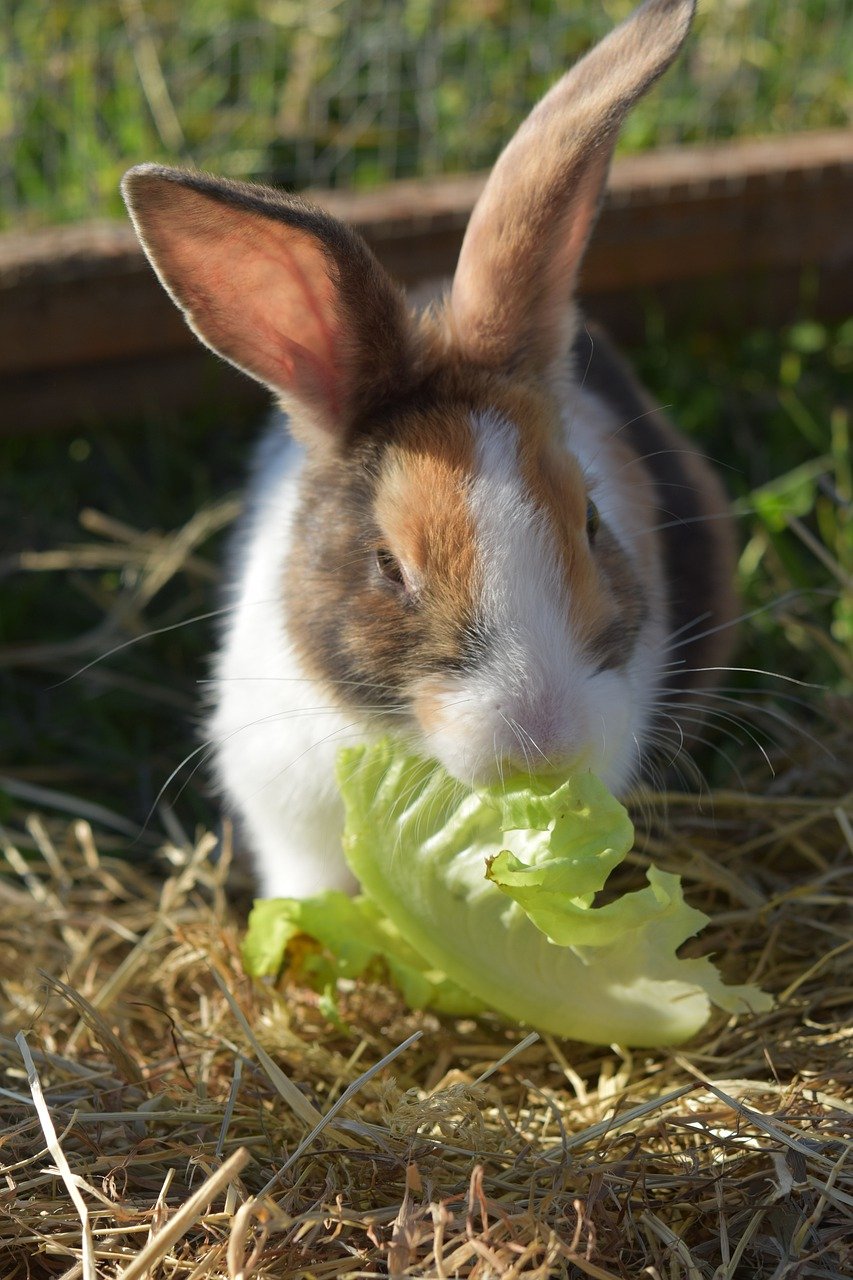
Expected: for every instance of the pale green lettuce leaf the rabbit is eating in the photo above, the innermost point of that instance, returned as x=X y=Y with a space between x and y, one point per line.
x=487 y=900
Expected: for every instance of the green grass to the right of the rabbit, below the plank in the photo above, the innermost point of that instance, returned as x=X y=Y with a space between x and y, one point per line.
x=774 y=412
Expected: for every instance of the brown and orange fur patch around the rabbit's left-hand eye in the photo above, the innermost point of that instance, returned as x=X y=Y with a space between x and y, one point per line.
x=403 y=488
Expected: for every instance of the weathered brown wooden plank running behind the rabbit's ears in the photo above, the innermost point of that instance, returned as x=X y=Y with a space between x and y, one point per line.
x=81 y=305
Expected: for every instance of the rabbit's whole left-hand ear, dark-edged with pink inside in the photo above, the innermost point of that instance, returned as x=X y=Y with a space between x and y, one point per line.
x=280 y=289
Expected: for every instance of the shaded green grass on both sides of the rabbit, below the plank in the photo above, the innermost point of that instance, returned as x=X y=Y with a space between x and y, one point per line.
x=772 y=408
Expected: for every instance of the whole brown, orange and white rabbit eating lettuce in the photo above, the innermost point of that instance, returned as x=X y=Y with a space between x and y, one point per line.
x=480 y=534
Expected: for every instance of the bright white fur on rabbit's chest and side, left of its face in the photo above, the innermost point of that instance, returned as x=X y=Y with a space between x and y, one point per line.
x=273 y=733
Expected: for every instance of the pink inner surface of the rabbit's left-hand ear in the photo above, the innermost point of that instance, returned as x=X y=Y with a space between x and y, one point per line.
x=258 y=291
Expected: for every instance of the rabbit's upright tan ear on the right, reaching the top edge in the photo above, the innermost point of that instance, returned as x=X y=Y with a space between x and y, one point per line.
x=522 y=253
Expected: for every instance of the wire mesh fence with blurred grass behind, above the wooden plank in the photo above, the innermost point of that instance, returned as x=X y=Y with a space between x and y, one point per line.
x=354 y=93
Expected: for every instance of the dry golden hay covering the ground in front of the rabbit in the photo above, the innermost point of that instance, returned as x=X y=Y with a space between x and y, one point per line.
x=167 y=1118
